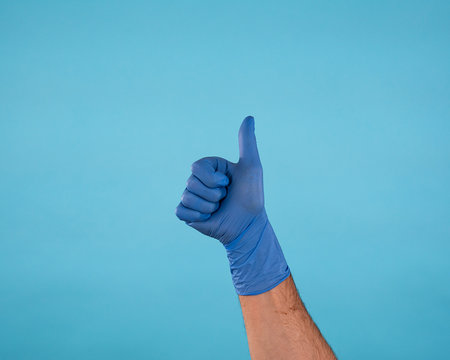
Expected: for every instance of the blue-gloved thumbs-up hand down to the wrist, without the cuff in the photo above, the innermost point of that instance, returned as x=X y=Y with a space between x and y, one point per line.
x=222 y=198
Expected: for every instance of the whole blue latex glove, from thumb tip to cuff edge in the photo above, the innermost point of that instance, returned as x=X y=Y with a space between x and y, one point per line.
x=225 y=200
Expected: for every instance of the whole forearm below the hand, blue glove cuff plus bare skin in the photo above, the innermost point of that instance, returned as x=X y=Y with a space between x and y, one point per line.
x=277 y=323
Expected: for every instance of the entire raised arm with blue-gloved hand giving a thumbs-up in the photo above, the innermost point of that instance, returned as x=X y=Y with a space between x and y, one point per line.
x=225 y=200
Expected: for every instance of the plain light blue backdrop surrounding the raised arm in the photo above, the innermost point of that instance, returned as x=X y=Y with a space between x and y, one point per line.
x=104 y=106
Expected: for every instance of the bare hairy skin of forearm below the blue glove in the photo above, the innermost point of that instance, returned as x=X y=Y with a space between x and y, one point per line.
x=279 y=327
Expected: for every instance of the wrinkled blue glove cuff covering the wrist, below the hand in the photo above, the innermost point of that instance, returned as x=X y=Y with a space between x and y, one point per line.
x=257 y=263
